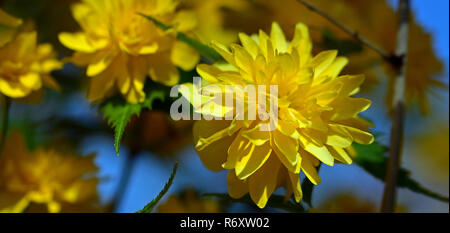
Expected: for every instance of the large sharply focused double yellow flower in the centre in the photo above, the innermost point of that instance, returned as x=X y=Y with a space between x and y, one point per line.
x=317 y=116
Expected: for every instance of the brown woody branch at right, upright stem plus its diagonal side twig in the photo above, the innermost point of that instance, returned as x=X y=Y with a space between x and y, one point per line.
x=398 y=61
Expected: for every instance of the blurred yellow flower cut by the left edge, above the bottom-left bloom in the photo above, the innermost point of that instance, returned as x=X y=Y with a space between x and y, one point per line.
x=25 y=66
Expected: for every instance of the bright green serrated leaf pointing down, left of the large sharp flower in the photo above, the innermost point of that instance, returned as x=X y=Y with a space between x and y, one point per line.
x=118 y=113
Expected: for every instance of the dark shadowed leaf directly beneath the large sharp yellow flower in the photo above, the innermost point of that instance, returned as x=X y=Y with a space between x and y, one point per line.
x=275 y=201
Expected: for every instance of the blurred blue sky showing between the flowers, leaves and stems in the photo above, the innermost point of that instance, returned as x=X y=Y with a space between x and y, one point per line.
x=151 y=172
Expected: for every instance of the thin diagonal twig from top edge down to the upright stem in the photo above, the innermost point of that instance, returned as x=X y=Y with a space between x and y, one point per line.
x=348 y=30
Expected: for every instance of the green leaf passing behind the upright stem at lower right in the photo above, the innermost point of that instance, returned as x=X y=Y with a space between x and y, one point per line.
x=372 y=159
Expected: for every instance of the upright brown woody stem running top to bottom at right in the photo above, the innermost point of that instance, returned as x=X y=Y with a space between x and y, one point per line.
x=396 y=141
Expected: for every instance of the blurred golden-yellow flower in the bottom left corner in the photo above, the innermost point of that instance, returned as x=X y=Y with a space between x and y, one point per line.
x=62 y=182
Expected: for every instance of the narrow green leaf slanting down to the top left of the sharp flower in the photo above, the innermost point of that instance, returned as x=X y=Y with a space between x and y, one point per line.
x=201 y=48
